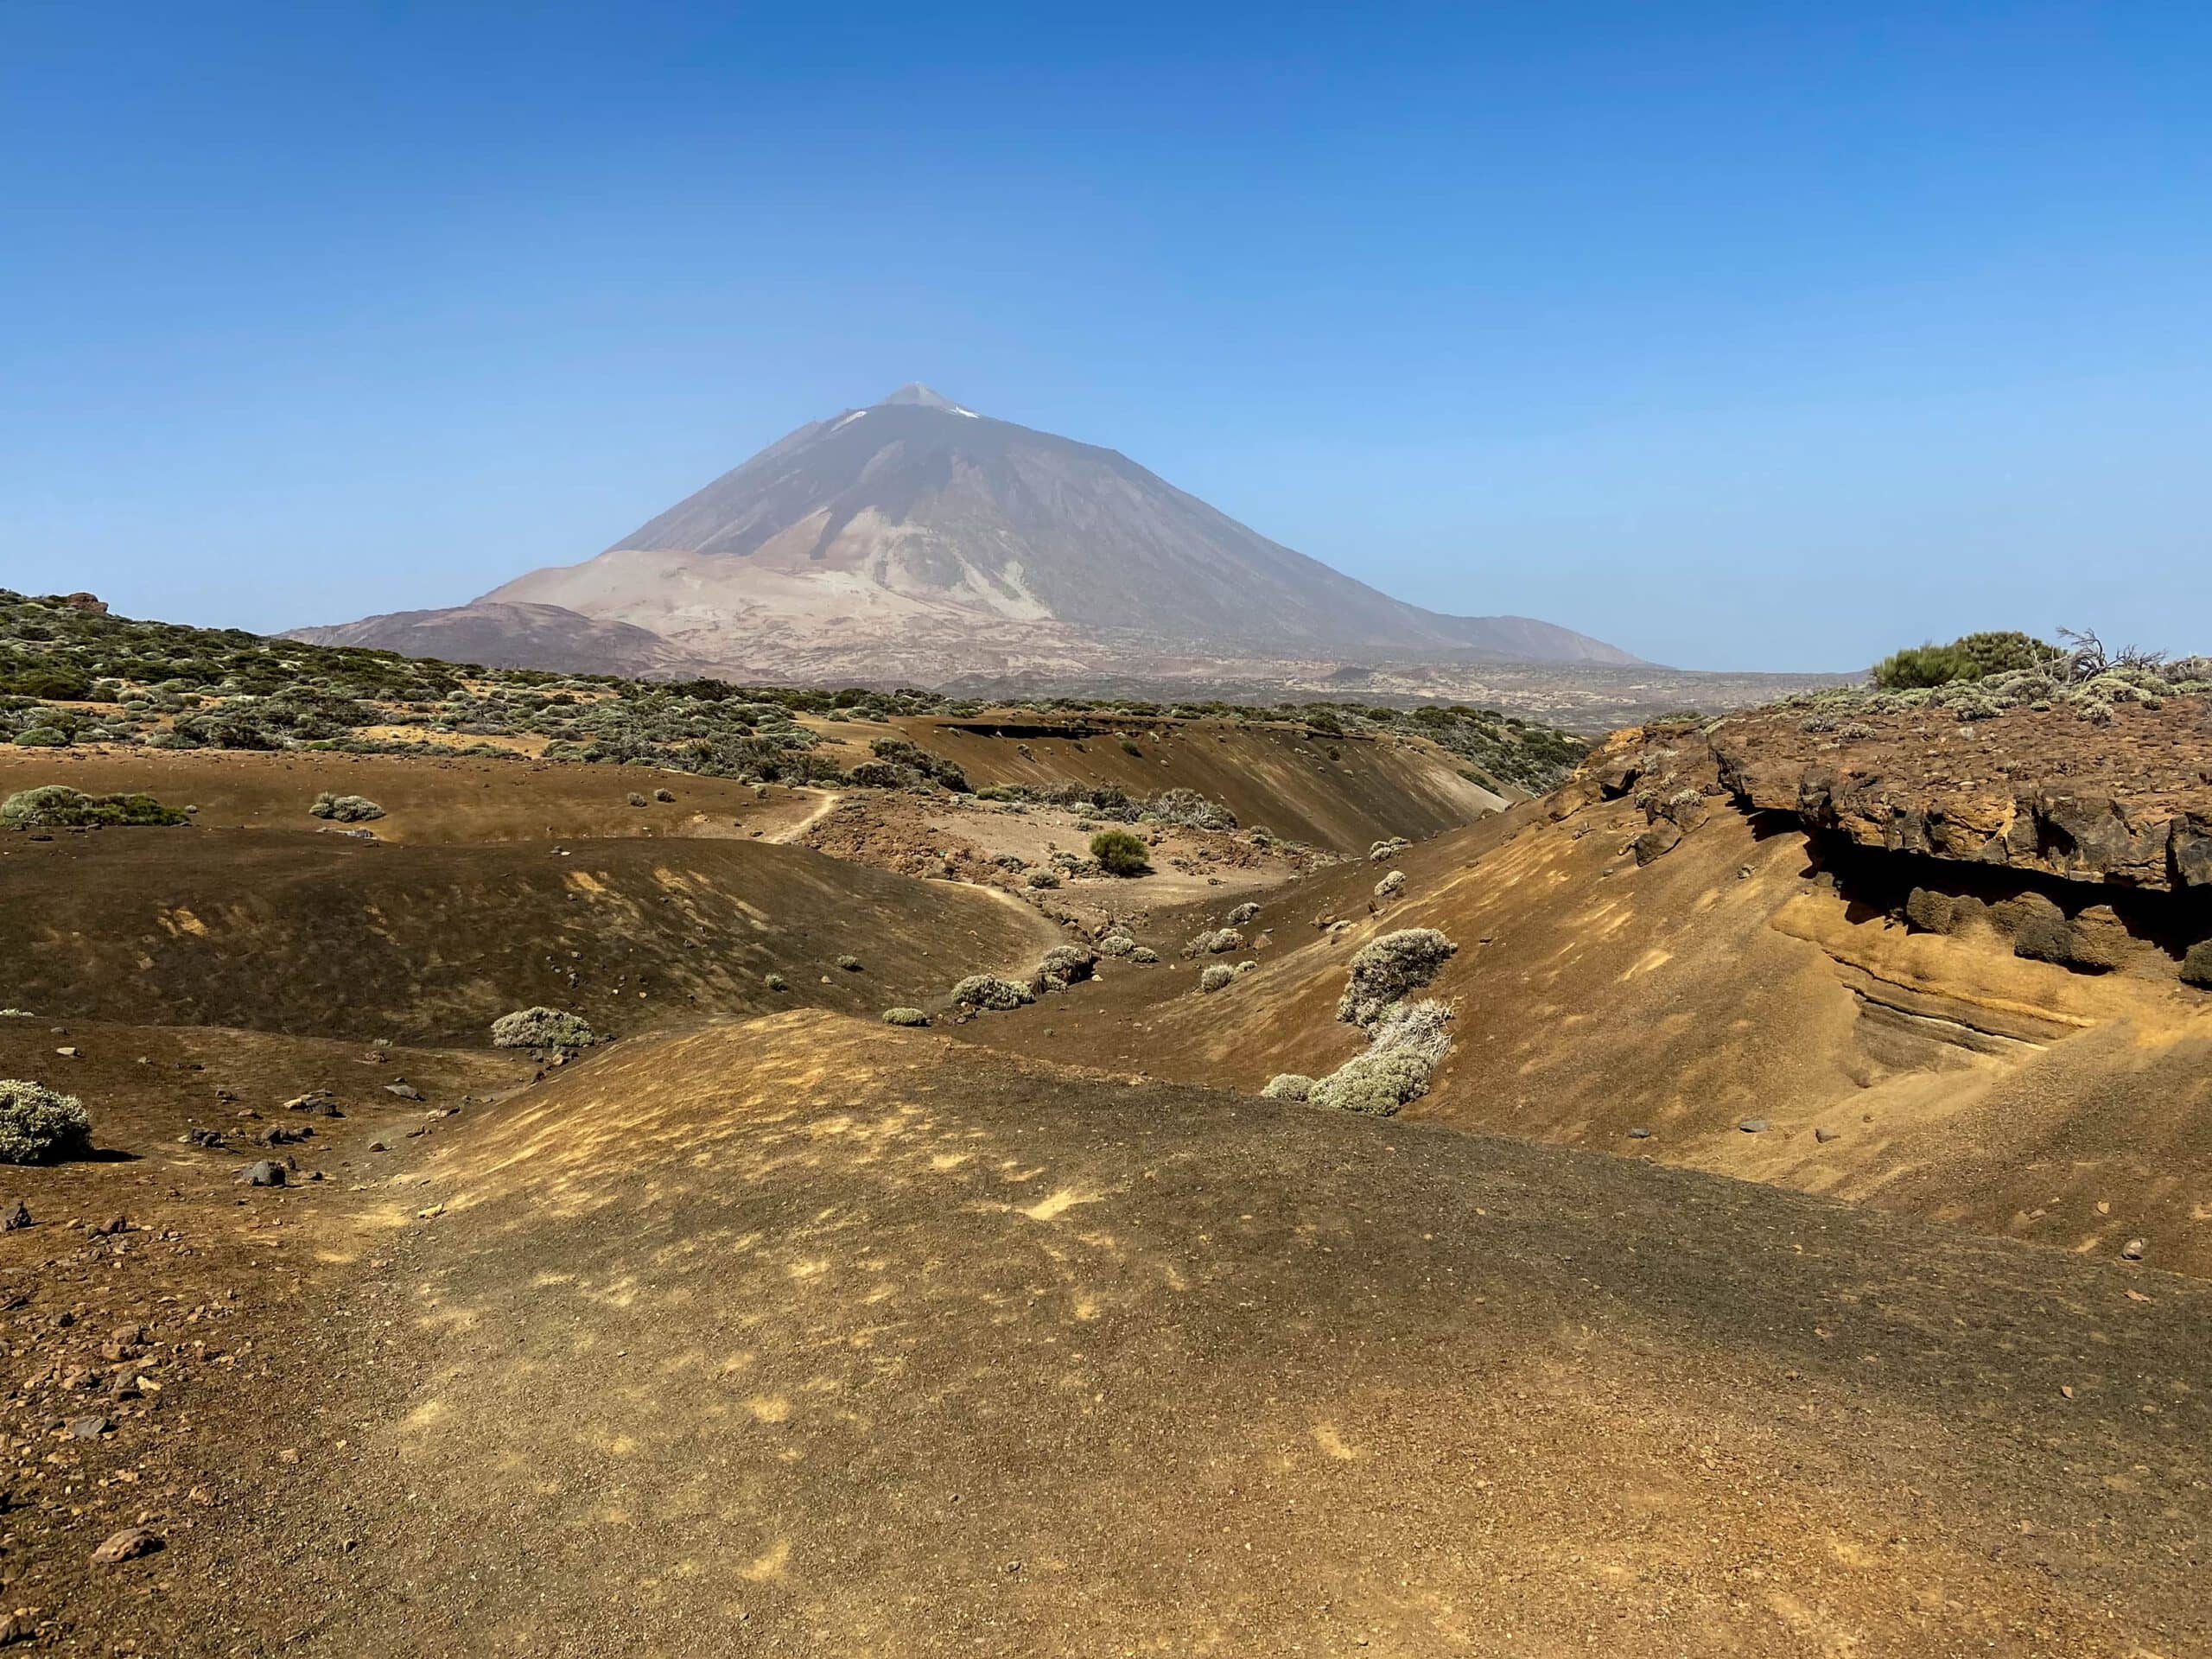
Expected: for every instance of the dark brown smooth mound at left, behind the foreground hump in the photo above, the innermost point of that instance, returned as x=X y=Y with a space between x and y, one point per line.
x=428 y=943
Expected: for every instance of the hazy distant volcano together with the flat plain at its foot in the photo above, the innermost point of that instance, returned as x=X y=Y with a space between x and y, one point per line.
x=919 y=543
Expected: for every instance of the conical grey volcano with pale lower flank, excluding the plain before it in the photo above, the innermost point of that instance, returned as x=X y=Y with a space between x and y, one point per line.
x=921 y=539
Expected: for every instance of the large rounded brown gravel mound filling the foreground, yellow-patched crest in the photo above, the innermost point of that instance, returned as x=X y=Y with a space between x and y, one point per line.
x=870 y=1344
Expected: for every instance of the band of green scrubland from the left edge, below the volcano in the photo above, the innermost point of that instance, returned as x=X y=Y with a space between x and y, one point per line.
x=74 y=674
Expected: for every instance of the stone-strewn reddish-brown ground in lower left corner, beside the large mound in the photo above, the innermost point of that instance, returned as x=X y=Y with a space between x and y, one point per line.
x=225 y=1293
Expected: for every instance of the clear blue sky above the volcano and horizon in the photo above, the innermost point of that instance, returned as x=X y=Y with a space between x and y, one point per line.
x=1740 y=335
